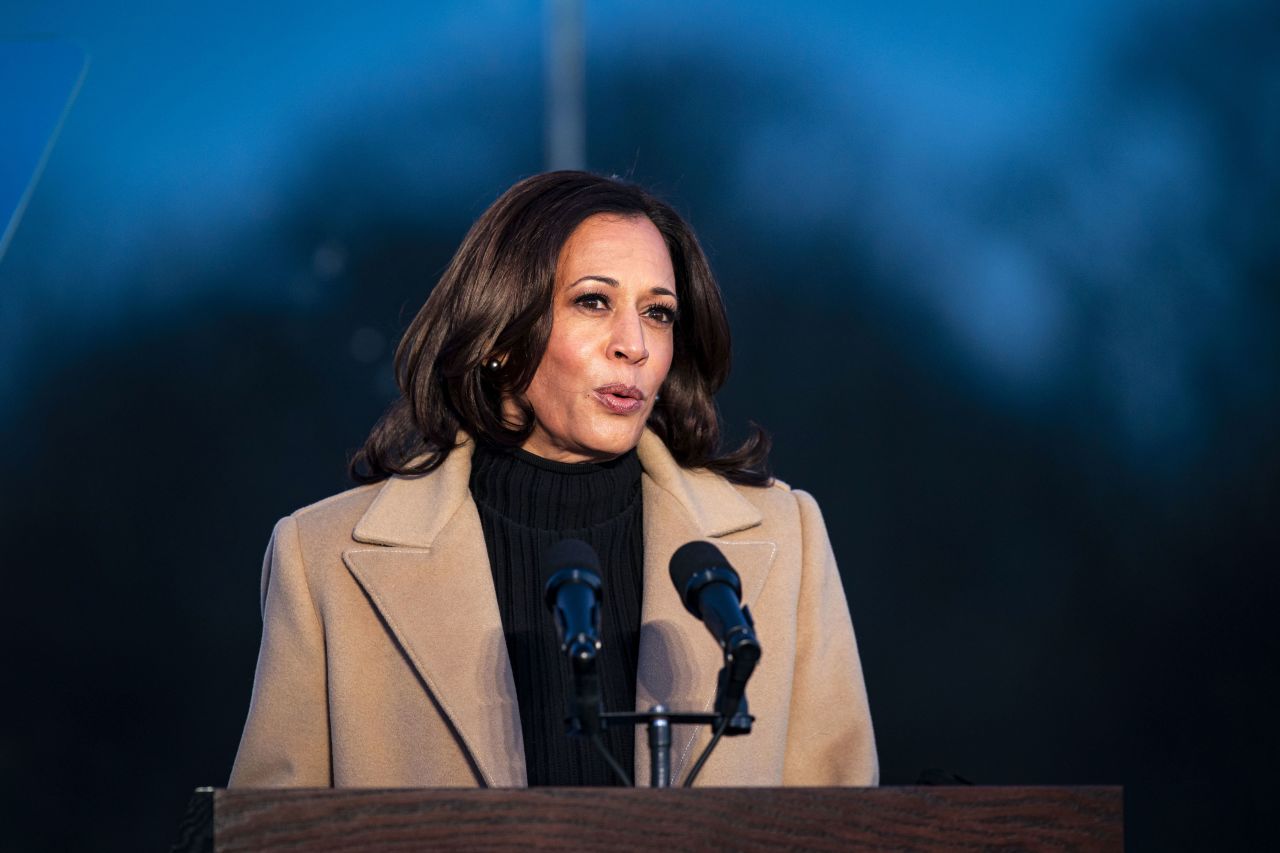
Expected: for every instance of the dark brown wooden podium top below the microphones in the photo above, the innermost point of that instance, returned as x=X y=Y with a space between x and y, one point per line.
x=621 y=819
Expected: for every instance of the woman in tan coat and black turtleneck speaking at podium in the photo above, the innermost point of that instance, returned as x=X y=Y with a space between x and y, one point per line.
x=559 y=384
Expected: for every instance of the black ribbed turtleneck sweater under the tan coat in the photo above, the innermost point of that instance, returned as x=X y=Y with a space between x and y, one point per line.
x=527 y=504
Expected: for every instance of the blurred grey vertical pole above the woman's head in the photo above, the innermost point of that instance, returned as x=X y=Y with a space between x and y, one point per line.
x=565 y=112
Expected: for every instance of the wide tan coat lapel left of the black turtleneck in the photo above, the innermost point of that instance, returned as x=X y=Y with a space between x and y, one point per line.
x=432 y=585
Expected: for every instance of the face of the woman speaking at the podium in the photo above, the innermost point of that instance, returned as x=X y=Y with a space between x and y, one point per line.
x=611 y=341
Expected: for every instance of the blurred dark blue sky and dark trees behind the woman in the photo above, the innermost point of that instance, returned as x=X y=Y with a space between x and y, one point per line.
x=1005 y=288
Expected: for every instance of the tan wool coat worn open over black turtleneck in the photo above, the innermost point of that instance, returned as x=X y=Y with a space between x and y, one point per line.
x=383 y=662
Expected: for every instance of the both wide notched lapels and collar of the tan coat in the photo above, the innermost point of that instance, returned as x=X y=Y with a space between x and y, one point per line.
x=428 y=576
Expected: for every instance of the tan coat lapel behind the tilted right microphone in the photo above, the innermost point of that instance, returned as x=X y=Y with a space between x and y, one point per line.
x=679 y=658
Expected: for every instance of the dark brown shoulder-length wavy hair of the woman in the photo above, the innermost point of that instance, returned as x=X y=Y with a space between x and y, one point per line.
x=495 y=299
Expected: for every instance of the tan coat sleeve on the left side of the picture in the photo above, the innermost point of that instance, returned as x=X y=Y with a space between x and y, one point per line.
x=286 y=741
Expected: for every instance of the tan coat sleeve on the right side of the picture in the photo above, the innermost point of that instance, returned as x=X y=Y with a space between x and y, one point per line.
x=830 y=737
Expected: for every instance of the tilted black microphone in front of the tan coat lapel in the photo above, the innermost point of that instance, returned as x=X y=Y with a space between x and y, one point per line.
x=711 y=591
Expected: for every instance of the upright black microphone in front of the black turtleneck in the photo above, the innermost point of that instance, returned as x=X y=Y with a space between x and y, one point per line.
x=574 y=596
